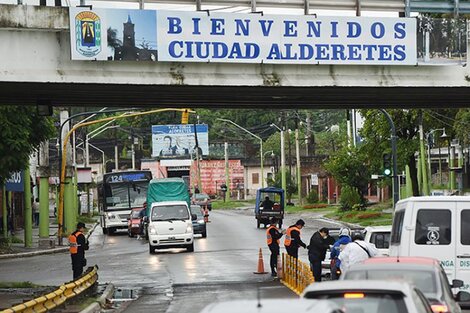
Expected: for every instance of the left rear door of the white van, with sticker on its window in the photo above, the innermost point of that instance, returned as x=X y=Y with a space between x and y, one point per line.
x=434 y=234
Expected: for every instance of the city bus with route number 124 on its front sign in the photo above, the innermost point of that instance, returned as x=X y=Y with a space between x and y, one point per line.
x=118 y=194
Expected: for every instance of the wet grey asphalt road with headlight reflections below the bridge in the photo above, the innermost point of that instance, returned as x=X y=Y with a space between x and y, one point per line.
x=221 y=268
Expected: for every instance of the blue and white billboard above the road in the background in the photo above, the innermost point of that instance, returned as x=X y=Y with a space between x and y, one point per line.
x=172 y=141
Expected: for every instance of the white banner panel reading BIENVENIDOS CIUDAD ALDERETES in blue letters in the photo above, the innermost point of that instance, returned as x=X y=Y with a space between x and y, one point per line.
x=255 y=38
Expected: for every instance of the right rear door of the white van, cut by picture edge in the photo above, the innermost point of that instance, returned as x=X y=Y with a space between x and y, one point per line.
x=463 y=244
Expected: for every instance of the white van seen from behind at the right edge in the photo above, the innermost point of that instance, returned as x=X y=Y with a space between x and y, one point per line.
x=436 y=227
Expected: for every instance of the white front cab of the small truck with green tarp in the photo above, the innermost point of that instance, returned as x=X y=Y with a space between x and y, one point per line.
x=170 y=226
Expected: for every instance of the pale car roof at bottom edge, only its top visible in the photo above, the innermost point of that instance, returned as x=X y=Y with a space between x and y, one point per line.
x=273 y=306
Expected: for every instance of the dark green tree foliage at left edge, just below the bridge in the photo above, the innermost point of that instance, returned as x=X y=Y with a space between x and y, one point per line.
x=21 y=132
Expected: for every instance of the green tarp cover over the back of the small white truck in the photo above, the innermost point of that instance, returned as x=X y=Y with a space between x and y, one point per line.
x=167 y=189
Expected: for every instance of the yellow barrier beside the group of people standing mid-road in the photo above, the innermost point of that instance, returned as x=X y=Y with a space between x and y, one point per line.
x=296 y=274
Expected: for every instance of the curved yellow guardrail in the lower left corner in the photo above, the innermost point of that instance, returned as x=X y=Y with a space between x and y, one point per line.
x=59 y=296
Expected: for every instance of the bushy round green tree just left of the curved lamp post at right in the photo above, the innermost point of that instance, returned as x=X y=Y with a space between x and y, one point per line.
x=350 y=167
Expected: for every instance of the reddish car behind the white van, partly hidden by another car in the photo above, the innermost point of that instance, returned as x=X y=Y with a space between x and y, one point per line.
x=425 y=273
